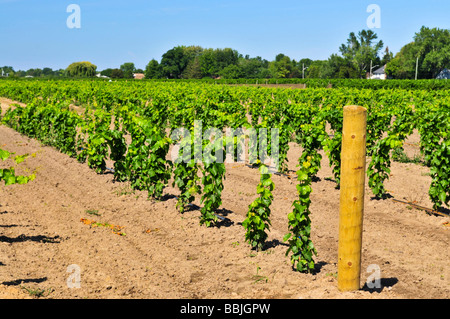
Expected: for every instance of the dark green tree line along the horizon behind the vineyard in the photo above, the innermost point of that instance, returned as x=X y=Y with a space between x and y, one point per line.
x=427 y=55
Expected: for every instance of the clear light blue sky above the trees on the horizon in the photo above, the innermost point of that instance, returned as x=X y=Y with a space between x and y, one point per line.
x=34 y=34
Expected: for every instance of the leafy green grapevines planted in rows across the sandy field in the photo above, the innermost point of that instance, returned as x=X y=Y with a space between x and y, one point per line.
x=147 y=113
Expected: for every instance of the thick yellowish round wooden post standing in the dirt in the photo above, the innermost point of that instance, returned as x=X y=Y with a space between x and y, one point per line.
x=351 y=206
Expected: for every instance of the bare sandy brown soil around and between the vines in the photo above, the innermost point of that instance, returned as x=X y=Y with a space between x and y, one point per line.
x=164 y=254
